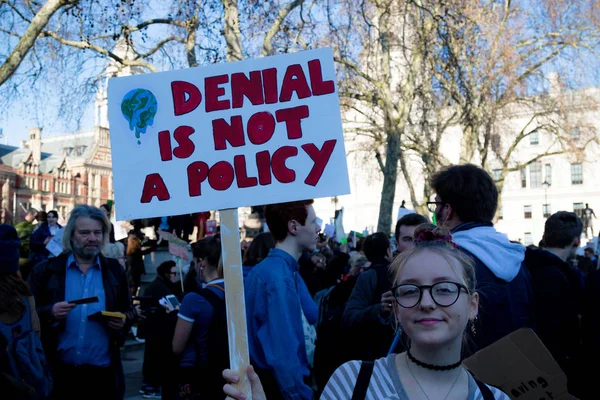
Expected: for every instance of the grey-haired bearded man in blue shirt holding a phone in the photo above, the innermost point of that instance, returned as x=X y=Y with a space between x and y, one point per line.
x=84 y=352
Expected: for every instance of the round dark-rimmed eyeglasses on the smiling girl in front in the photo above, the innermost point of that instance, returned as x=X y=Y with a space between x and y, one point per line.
x=444 y=294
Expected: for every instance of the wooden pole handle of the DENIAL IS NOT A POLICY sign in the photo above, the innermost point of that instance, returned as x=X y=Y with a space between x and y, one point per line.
x=239 y=358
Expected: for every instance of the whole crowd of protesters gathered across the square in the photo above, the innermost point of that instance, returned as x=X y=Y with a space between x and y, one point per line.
x=375 y=318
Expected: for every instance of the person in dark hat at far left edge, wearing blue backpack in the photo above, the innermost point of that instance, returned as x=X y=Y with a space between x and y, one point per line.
x=12 y=292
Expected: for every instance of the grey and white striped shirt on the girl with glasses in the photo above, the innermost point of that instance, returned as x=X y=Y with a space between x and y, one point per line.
x=385 y=383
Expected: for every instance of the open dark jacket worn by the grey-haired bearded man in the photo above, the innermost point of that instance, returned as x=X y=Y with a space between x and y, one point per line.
x=47 y=283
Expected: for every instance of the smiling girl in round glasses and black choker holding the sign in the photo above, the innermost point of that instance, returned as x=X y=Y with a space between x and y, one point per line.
x=435 y=303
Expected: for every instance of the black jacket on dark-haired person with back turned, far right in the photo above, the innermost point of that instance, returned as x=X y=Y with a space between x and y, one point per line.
x=556 y=309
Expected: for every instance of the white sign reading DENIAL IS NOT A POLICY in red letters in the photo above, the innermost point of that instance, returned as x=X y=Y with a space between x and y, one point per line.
x=227 y=135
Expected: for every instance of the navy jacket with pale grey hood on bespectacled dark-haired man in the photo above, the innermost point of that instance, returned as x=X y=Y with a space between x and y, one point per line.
x=505 y=305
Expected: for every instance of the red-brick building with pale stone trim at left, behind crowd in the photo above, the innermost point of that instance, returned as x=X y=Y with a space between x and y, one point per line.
x=55 y=173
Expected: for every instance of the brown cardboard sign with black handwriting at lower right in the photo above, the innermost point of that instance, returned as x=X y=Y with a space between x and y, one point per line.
x=522 y=367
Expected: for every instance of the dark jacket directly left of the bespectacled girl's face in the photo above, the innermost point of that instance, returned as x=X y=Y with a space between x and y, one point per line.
x=361 y=317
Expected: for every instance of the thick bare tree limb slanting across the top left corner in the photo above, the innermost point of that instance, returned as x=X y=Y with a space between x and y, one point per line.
x=26 y=42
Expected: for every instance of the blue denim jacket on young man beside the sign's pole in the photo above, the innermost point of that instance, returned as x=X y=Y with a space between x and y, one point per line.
x=275 y=333
